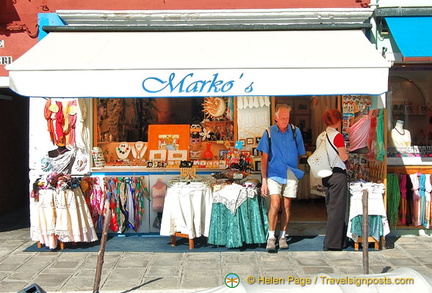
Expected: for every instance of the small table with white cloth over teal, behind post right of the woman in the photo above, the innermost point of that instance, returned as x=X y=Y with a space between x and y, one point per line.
x=378 y=225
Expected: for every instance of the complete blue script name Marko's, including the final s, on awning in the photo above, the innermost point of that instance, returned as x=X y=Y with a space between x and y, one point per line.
x=182 y=83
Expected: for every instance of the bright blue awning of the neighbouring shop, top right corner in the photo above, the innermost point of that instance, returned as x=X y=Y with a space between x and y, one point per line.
x=413 y=36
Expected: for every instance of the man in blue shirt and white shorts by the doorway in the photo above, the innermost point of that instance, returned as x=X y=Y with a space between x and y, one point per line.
x=280 y=172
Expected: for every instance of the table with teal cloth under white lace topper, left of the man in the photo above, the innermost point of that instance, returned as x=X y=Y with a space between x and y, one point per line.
x=239 y=216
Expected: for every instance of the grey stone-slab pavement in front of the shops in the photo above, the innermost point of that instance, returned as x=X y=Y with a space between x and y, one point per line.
x=57 y=271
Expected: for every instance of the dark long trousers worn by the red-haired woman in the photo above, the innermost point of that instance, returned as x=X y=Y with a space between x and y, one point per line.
x=336 y=203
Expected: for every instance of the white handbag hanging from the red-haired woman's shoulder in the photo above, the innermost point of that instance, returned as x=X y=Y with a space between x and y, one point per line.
x=319 y=160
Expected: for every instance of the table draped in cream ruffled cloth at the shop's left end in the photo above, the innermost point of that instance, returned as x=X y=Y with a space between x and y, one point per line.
x=61 y=215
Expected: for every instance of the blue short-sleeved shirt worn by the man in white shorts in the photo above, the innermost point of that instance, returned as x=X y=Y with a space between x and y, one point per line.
x=283 y=154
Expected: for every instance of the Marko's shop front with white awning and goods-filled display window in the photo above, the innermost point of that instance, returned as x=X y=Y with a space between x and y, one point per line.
x=237 y=73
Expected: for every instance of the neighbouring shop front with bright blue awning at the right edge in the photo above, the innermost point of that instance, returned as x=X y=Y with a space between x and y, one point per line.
x=403 y=36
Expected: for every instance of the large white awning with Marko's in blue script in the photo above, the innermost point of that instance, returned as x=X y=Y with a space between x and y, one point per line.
x=197 y=64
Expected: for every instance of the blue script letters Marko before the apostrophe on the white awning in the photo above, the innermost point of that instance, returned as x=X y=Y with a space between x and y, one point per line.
x=185 y=85
